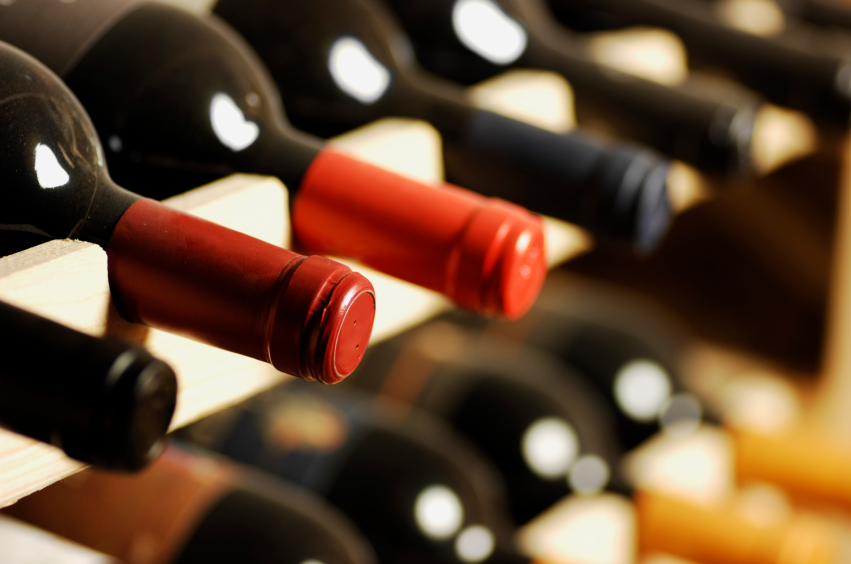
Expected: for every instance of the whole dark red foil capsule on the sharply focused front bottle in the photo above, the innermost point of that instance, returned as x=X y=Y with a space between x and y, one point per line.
x=308 y=316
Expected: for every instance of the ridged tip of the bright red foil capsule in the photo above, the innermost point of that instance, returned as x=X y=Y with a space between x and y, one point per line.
x=499 y=265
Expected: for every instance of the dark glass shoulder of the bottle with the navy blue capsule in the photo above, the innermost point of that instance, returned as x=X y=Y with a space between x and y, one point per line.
x=340 y=65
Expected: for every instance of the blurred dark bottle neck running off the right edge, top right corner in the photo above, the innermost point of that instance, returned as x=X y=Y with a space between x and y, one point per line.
x=799 y=67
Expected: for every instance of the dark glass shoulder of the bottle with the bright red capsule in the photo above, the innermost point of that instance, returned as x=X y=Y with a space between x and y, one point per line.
x=182 y=99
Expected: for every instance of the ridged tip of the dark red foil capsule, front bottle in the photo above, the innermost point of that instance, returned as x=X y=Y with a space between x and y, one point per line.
x=323 y=321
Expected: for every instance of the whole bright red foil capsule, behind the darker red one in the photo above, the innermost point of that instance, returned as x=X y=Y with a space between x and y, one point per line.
x=484 y=253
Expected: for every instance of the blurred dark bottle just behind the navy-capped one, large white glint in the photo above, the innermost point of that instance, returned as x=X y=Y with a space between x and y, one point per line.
x=688 y=122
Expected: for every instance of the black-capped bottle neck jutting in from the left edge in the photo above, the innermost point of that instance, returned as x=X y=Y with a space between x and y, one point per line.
x=103 y=401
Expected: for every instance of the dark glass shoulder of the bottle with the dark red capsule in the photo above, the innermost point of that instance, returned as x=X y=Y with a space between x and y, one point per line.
x=51 y=160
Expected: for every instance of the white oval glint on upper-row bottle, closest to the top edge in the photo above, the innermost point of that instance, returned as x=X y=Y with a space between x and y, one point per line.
x=488 y=31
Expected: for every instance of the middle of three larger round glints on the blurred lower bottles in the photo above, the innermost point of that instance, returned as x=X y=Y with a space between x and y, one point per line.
x=549 y=447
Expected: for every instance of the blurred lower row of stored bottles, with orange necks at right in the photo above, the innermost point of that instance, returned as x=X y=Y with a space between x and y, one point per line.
x=576 y=439
